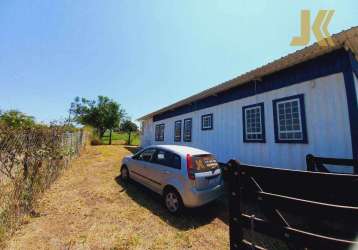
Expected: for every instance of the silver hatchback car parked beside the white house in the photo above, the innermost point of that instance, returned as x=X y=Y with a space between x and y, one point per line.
x=184 y=176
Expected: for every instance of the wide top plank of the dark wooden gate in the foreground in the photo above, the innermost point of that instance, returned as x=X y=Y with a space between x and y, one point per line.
x=332 y=188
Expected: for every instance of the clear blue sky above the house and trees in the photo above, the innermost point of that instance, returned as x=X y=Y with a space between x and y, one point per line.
x=143 y=54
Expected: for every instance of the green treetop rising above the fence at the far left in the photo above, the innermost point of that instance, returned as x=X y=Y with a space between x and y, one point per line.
x=16 y=119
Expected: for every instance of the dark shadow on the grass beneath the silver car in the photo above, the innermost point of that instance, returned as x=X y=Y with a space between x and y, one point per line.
x=189 y=219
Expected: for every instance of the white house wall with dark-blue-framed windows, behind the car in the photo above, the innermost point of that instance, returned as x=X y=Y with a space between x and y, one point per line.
x=326 y=117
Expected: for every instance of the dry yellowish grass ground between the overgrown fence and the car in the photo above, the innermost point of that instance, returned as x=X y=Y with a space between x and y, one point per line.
x=87 y=208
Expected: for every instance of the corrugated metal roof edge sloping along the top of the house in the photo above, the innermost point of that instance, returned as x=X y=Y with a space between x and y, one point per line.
x=347 y=39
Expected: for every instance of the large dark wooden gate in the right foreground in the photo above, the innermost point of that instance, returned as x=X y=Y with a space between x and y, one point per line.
x=303 y=210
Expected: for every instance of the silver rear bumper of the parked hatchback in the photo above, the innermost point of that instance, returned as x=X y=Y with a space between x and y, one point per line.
x=196 y=198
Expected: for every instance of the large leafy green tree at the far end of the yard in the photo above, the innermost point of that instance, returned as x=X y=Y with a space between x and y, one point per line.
x=103 y=114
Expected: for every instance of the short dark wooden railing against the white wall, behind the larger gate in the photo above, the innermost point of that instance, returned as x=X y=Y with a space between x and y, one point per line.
x=316 y=164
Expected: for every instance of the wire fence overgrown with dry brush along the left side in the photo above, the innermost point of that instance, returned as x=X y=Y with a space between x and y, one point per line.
x=30 y=160
